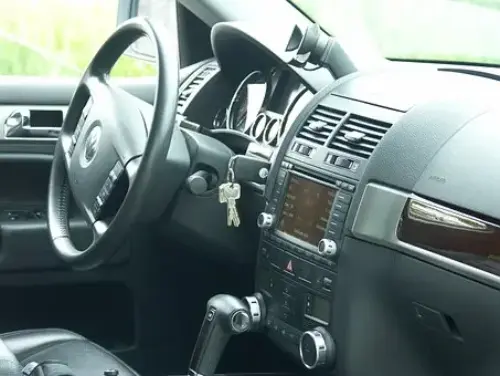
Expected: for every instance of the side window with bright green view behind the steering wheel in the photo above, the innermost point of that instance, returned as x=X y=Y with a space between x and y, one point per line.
x=58 y=38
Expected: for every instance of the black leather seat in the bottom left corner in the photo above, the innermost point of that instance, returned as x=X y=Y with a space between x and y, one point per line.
x=82 y=356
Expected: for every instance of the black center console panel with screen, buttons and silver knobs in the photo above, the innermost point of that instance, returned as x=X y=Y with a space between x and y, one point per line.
x=302 y=229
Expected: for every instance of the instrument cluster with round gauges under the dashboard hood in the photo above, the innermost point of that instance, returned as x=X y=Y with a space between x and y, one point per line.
x=260 y=106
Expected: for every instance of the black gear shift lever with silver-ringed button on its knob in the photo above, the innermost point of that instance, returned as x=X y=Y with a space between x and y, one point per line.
x=226 y=316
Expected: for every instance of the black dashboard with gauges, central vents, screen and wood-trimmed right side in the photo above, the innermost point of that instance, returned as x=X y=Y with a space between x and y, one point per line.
x=378 y=207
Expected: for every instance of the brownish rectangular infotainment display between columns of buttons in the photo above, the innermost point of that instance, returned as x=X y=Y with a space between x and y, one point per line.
x=306 y=209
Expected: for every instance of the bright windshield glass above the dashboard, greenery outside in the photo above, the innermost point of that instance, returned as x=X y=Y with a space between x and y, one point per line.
x=459 y=31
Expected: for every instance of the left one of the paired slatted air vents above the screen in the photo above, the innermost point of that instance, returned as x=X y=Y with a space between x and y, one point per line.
x=320 y=125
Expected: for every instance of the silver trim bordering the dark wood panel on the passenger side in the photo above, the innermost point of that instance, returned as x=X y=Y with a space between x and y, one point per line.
x=377 y=221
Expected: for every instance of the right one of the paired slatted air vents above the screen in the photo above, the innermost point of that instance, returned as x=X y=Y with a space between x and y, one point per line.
x=359 y=136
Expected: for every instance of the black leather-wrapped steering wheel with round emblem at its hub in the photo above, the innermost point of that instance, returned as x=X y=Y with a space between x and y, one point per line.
x=112 y=153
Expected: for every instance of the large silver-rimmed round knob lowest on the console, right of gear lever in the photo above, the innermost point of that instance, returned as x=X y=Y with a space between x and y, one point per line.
x=317 y=348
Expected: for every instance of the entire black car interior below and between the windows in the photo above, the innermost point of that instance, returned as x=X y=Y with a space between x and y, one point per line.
x=265 y=205
